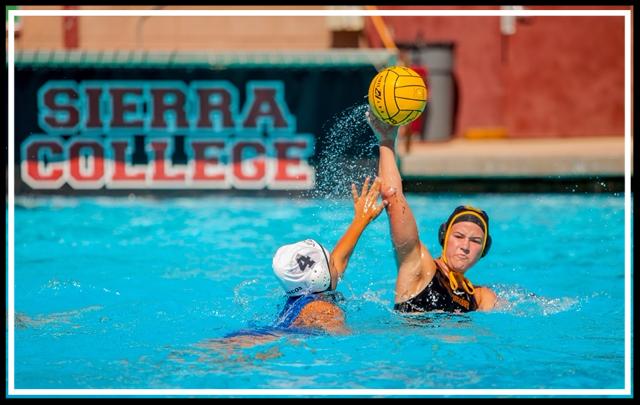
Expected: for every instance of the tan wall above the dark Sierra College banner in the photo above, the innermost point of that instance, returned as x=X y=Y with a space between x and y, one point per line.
x=179 y=33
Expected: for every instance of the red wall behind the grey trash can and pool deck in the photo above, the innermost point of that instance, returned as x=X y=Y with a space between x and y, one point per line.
x=555 y=77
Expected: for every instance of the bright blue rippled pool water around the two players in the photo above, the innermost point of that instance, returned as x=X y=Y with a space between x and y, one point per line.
x=129 y=293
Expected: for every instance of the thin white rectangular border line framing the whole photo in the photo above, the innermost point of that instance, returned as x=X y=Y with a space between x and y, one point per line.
x=12 y=391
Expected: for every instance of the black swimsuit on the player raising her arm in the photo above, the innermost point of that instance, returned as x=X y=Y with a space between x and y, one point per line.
x=437 y=295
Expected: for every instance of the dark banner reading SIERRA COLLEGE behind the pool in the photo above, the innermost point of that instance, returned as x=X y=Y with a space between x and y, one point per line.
x=108 y=130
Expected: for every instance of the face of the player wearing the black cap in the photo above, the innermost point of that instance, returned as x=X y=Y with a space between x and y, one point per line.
x=464 y=246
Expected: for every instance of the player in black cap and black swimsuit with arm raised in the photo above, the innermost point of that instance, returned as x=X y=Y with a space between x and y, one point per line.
x=424 y=283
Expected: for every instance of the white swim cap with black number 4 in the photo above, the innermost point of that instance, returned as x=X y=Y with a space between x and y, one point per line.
x=302 y=267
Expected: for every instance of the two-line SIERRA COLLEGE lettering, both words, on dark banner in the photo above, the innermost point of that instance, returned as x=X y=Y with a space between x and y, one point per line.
x=90 y=129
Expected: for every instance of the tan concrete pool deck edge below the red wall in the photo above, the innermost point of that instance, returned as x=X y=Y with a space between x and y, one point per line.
x=515 y=161
